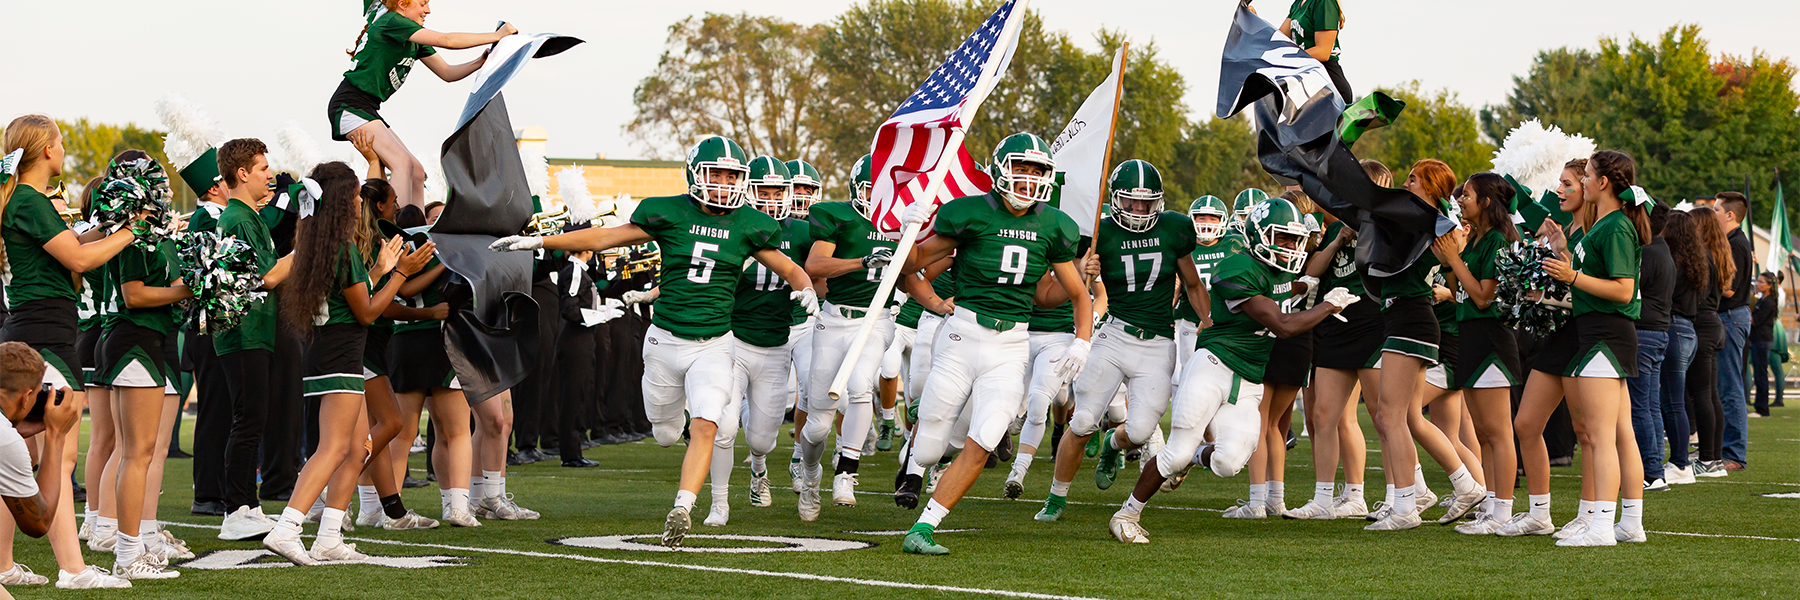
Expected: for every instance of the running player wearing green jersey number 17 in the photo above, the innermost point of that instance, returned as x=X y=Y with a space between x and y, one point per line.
x=1142 y=251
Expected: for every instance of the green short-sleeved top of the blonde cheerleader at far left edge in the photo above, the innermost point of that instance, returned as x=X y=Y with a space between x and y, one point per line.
x=28 y=224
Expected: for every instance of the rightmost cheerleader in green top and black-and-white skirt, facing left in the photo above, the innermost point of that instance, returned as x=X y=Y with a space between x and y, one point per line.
x=1605 y=278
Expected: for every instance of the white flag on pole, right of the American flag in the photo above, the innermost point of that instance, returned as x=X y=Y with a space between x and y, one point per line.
x=1083 y=150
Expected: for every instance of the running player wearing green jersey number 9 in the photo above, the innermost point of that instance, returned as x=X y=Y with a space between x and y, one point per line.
x=1007 y=242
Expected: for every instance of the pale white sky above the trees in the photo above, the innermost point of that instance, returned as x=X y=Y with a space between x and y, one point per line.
x=258 y=64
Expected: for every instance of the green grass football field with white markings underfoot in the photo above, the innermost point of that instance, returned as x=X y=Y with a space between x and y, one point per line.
x=1720 y=538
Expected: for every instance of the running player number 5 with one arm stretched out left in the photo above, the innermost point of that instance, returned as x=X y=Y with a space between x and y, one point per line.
x=688 y=349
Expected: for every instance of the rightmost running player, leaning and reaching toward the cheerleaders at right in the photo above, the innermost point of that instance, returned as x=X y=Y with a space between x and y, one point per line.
x=1221 y=386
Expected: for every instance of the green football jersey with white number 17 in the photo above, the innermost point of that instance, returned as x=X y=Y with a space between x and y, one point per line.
x=1140 y=271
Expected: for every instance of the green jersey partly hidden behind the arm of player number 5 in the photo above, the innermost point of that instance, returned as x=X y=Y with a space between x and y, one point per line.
x=764 y=313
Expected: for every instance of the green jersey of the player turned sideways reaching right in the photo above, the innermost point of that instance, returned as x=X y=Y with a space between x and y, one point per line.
x=1237 y=340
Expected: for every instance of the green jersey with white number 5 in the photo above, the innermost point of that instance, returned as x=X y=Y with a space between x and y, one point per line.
x=703 y=259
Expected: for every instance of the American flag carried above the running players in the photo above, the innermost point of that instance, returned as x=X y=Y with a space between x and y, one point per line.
x=919 y=134
